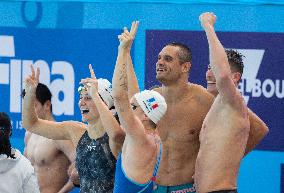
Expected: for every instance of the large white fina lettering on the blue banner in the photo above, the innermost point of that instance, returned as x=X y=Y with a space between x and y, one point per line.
x=14 y=73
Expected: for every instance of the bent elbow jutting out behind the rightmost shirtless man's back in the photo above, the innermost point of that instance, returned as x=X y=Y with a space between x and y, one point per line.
x=258 y=130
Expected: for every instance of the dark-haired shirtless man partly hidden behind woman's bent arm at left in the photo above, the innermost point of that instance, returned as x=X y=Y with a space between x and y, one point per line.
x=50 y=158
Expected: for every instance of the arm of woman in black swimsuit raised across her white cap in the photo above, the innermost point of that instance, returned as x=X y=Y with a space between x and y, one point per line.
x=110 y=124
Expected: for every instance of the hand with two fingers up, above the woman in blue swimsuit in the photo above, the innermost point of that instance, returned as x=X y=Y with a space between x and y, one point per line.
x=126 y=38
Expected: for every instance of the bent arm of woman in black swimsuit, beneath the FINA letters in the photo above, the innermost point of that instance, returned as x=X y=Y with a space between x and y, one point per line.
x=45 y=128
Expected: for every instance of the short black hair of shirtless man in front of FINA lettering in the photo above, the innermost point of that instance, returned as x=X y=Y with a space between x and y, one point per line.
x=43 y=94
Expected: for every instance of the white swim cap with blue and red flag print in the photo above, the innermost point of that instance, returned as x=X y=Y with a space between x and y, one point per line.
x=152 y=103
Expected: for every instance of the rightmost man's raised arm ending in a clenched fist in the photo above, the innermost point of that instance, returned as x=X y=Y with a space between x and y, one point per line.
x=218 y=60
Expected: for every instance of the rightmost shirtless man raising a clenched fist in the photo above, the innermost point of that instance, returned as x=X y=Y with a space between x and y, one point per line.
x=225 y=131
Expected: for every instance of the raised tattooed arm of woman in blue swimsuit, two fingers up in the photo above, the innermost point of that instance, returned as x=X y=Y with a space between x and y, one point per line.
x=133 y=127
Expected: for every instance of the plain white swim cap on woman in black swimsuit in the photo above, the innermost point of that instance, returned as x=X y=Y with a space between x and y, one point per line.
x=105 y=91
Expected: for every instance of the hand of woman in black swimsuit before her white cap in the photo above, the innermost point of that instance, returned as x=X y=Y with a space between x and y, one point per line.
x=91 y=84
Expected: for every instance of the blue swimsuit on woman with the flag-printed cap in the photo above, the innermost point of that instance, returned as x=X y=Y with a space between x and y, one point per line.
x=123 y=184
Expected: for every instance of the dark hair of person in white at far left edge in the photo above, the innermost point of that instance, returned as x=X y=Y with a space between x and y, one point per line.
x=5 y=133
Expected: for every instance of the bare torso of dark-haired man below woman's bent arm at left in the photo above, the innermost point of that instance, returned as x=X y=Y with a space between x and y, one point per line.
x=50 y=163
